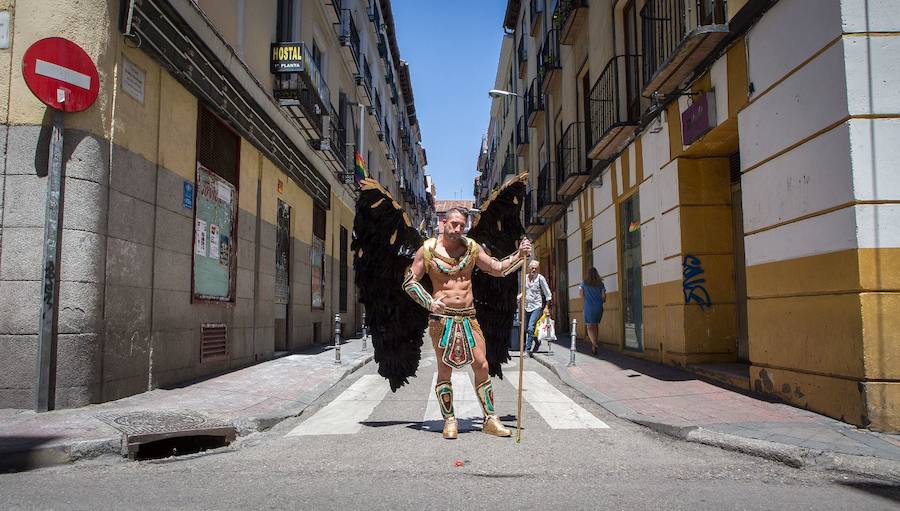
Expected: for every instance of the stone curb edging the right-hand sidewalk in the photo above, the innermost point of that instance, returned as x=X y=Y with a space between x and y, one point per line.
x=790 y=455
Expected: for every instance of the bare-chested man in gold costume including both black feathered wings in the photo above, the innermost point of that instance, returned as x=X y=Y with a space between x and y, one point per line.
x=391 y=260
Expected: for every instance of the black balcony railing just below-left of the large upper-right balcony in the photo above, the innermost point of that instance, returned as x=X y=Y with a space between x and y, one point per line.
x=615 y=107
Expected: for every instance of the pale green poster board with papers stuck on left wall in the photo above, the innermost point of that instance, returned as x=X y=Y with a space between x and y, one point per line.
x=216 y=210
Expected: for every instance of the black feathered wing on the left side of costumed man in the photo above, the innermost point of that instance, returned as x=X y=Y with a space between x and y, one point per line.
x=384 y=245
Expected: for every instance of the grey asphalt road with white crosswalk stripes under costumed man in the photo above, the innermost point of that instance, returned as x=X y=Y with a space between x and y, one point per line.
x=362 y=447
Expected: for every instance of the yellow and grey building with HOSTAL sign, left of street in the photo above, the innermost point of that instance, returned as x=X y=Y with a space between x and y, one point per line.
x=208 y=195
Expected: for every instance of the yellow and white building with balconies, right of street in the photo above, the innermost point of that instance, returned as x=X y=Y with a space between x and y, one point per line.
x=726 y=166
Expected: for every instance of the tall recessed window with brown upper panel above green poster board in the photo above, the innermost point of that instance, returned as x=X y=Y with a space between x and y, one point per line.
x=215 y=210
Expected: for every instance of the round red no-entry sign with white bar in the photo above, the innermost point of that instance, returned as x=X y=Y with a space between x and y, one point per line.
x=61 y=74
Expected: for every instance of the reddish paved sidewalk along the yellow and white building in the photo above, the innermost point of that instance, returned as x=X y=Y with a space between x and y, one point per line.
x=678 y=403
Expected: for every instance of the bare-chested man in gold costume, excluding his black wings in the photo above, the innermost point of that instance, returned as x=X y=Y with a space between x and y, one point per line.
x=458 y=341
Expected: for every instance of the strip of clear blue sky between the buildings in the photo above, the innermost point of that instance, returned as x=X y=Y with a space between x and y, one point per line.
x=452 y=49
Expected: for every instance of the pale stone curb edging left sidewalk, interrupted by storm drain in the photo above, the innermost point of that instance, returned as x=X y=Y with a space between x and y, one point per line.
x=77 y=450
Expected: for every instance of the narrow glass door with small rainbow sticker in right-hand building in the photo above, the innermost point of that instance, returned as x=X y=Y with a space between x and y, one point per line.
x=632 y=304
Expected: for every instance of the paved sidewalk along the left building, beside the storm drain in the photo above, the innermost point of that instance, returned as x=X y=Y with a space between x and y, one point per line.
x=241 y=402
